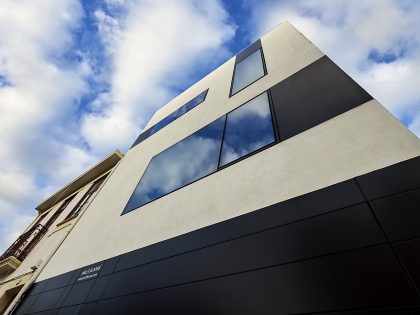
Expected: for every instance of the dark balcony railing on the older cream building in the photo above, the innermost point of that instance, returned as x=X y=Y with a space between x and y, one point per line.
x=21 y=248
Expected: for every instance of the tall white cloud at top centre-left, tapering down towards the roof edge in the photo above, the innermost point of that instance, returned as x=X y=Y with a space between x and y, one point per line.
x=154 y=46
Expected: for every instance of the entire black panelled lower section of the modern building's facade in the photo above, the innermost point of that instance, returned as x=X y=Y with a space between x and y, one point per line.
x=333 y=224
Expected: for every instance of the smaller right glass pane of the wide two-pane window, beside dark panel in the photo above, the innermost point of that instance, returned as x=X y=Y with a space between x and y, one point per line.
x=248 y=128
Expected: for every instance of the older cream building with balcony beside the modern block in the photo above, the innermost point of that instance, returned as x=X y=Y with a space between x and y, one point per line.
x=56 y=217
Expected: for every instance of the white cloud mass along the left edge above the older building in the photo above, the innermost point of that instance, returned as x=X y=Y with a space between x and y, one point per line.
x=36 y=105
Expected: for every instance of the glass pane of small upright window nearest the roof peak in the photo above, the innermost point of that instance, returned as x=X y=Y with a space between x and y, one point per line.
x=247 y=71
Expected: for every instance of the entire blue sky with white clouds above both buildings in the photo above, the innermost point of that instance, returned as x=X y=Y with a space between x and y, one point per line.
x=79 y=79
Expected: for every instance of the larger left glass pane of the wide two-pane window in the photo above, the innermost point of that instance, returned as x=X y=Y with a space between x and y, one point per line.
x=190 y=159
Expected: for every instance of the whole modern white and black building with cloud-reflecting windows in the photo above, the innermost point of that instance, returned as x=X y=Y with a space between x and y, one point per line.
x=275 y=185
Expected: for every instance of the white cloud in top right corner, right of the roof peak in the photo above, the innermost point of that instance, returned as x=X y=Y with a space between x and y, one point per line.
x=348 y=31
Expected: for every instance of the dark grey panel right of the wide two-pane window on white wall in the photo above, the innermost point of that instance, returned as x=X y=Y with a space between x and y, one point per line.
x=313 y=95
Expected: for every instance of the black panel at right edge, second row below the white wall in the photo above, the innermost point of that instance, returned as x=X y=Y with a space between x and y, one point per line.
x=399 y=215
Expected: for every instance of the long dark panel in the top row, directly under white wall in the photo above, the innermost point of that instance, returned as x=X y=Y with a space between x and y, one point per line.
x=324 y=200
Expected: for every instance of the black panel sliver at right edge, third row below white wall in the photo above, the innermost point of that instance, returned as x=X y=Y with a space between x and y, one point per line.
x=409 y=252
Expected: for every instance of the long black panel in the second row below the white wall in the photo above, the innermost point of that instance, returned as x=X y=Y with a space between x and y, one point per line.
x=342 y=230
